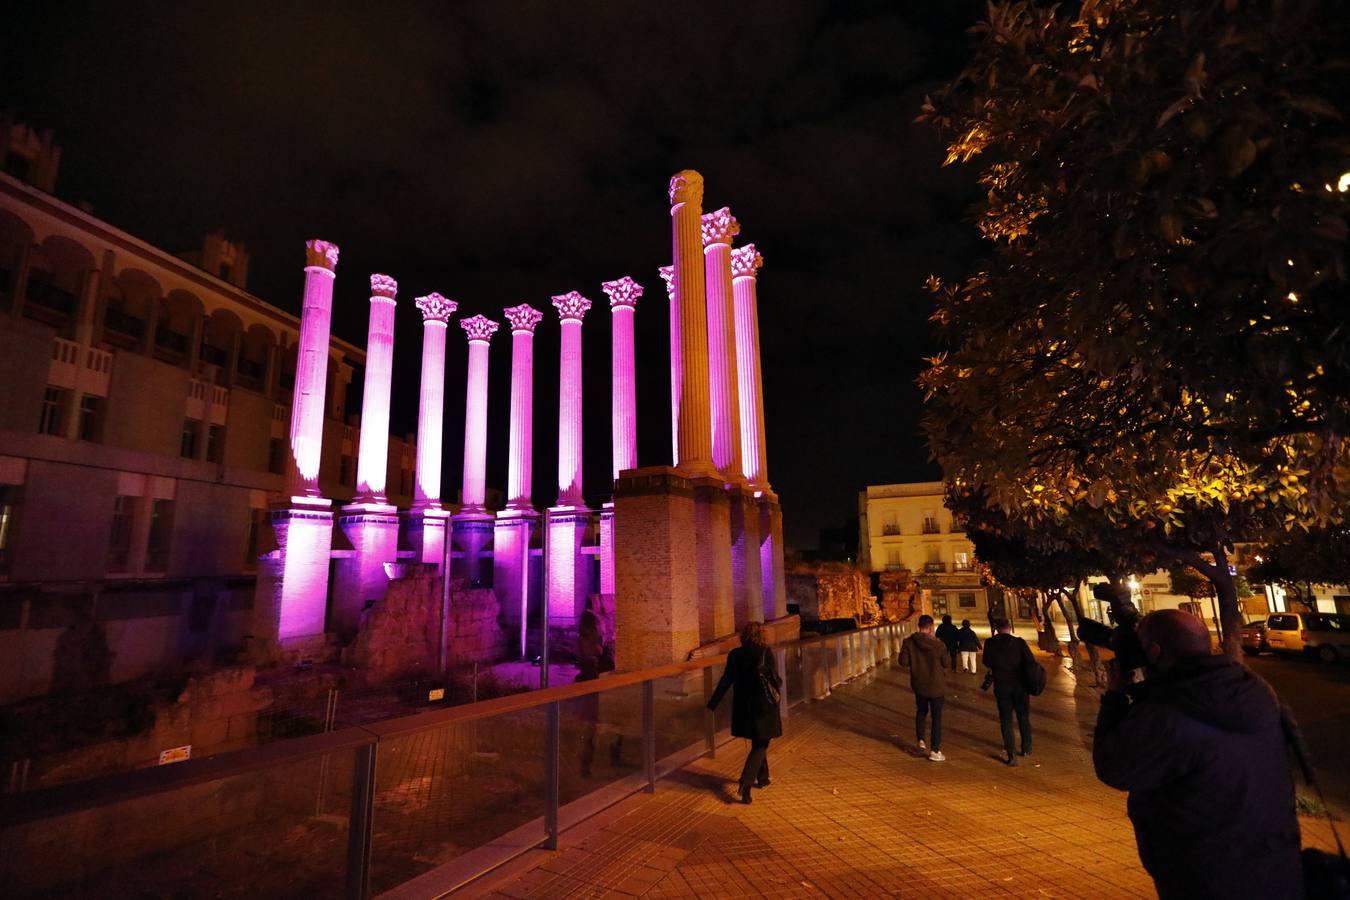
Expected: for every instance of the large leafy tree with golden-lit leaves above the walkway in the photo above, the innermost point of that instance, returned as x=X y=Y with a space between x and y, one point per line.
x=1156 y=350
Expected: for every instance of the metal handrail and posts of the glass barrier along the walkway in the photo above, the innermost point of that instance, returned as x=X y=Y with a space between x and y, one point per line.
x=364 y=741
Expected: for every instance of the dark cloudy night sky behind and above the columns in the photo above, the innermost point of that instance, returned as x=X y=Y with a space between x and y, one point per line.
x=503 y=153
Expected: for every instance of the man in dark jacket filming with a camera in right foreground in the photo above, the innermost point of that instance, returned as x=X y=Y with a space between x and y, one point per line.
x=1201 y=750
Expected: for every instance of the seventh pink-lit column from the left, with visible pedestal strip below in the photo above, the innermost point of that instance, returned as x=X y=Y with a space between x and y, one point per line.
x=623 y=295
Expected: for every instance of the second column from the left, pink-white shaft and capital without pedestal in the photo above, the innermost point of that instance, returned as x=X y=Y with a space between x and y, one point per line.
x=373 y=453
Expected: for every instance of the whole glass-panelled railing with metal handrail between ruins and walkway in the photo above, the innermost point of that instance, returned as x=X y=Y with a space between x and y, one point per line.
x=495 y=781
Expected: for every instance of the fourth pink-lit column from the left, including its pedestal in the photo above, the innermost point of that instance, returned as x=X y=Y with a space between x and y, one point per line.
x=473 y=526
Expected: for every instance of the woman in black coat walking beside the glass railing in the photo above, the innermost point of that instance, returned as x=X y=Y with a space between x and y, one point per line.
x=754 y=717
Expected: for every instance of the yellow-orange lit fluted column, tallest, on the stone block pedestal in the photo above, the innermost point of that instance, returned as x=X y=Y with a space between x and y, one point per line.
x=696 y=430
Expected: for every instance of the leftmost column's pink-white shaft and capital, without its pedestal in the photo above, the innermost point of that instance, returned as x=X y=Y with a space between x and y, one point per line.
x=307 y=404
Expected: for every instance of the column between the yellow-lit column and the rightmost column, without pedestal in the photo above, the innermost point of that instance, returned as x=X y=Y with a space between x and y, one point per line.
x=719 y=230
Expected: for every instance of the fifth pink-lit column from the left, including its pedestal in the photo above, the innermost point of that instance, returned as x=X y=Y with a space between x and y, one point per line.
x=516 y=524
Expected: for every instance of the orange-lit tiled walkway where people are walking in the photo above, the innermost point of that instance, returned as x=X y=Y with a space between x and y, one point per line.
x=855 y=813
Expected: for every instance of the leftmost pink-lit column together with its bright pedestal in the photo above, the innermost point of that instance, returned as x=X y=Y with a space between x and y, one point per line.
x=292 y=593
